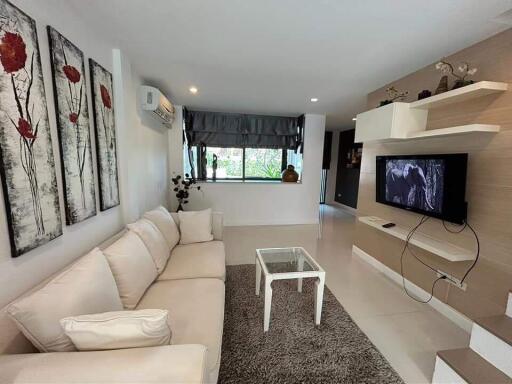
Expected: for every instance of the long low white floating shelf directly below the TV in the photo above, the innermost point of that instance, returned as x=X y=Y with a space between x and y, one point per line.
x=440 y=248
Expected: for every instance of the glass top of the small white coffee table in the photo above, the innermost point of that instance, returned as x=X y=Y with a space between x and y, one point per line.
x=286 y=260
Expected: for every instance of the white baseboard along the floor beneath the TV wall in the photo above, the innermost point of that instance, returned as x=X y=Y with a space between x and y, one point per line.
x=443 y=308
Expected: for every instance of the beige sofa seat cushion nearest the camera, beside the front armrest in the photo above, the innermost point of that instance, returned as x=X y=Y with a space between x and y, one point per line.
x=196 y=308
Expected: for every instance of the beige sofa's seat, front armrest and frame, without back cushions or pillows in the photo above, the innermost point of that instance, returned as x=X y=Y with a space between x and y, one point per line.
x=191 y=288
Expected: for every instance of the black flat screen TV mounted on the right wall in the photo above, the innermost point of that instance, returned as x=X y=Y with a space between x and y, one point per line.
x=432 y=185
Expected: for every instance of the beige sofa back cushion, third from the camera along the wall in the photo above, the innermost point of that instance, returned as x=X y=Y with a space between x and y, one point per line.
x=153 y=240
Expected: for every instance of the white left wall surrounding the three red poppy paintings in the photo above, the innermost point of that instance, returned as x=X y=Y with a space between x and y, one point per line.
x=19 y=274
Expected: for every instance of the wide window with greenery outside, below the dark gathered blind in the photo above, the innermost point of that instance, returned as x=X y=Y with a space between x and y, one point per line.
x=241 y=163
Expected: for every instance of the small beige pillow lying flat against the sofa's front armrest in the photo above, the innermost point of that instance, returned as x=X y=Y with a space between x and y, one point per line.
x=118 y=329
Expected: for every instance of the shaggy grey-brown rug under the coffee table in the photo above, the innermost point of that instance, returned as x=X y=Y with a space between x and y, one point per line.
x=294 y=350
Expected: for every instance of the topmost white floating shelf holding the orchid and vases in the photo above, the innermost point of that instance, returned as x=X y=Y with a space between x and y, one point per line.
x=482 y=88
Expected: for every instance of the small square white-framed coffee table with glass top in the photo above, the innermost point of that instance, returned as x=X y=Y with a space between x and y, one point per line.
x=283 y=264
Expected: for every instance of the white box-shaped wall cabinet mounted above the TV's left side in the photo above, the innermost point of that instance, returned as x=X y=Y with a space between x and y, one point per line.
x=392 y=121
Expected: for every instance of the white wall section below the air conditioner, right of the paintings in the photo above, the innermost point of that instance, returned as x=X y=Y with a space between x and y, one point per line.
x=144 y=171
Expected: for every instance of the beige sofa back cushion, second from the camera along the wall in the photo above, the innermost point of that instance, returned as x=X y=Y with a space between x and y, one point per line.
x=133 y=268
